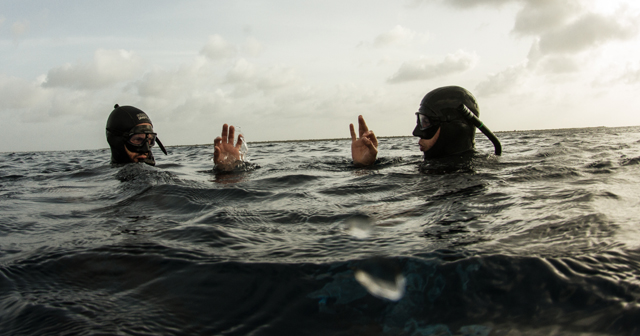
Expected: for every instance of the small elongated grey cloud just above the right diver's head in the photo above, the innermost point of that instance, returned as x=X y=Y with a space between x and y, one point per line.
x=426 y=69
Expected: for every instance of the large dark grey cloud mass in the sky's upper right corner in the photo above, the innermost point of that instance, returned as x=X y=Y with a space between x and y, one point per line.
x=562 y=31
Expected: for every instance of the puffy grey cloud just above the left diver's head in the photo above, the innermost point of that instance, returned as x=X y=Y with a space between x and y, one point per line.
x=107 y=68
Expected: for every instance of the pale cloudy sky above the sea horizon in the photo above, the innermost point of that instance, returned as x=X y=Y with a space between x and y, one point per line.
x=293 y=70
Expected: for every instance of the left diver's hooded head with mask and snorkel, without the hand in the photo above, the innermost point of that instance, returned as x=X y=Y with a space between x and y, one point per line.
x=130 y=136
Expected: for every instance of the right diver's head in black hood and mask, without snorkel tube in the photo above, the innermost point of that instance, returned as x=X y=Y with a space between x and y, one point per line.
x=442 y=129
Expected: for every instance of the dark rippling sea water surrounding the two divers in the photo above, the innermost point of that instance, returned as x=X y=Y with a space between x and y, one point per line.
x=544 y=240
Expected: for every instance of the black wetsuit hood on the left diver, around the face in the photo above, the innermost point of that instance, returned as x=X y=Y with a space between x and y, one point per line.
x=121 y=121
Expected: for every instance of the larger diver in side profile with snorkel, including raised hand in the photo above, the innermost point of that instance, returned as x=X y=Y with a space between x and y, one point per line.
x=446 y=124
